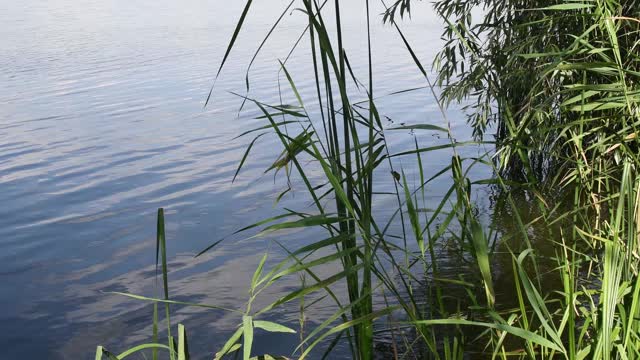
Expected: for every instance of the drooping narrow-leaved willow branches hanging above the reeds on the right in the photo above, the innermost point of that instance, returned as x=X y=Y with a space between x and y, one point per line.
x=520 y=62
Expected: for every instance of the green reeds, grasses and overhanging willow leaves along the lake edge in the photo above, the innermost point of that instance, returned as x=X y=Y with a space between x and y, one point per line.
x=558 y=82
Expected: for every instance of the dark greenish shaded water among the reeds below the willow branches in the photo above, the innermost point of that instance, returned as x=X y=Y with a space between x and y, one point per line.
x=459 y=281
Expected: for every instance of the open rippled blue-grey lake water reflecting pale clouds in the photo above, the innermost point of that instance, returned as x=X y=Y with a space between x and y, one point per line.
x=102 y=122
